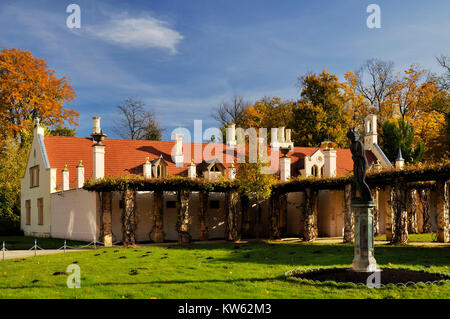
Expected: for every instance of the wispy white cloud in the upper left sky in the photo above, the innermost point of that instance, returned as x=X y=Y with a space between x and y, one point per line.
x=146 y=32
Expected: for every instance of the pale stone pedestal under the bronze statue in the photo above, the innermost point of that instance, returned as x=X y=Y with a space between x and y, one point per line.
x=364 y=261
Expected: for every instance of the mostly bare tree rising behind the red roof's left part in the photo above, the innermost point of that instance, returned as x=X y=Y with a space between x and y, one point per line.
x=135 y=122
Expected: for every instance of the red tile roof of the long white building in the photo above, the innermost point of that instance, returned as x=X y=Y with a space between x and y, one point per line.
x=125 y=157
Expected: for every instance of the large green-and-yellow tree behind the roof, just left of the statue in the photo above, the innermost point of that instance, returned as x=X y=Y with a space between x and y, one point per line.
x=320 y=113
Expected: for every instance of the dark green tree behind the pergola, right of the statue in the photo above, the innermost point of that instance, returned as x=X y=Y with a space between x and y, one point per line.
x=400 y=133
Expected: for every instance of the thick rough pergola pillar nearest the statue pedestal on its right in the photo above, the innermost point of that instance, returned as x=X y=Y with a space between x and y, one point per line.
x=399 y=207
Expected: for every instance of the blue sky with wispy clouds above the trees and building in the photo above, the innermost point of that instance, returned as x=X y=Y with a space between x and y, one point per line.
x=185 y=57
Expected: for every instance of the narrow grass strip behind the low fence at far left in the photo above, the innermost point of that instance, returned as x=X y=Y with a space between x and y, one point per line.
x=24 y=242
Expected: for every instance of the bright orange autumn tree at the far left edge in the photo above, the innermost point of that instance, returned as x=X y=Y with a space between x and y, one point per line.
x=27 y=86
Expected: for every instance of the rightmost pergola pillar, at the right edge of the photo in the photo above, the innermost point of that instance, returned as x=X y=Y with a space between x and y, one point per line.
x=442 y=211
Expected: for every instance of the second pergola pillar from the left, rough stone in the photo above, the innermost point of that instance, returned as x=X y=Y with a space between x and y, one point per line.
x=129 y=218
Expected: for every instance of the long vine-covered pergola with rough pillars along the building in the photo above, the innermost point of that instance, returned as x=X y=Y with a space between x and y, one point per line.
x=399 y=184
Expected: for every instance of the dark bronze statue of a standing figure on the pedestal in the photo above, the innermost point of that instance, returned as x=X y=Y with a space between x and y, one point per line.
x=359 y=167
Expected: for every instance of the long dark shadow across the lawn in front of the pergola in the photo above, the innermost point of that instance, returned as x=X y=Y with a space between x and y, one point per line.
x=302 y=254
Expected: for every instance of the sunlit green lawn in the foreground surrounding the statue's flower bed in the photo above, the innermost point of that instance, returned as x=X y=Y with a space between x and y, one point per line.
x=213 y=271
